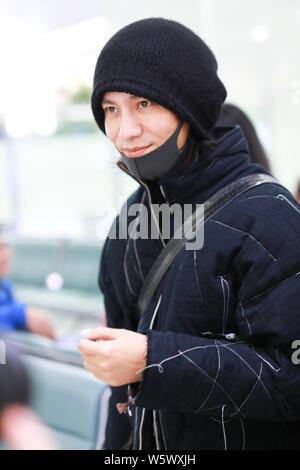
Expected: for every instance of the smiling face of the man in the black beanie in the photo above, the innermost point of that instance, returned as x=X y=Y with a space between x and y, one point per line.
x=137 y=126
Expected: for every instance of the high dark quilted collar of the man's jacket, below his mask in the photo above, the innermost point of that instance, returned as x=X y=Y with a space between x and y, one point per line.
x=208 y=172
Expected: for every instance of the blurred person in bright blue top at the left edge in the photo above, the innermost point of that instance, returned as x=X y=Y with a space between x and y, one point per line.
x=13 y=314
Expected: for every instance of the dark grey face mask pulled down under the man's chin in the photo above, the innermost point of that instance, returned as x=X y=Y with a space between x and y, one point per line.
x=156 y=164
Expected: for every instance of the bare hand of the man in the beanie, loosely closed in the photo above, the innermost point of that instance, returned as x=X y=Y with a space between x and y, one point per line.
x=114 y=355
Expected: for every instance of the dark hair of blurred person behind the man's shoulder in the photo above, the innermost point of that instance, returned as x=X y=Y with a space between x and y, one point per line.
x=231 y=115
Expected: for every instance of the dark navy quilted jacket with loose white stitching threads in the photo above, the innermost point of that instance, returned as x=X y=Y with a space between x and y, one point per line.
x=220 y=326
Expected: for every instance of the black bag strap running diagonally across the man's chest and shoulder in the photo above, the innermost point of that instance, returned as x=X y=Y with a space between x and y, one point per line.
x=219 y=200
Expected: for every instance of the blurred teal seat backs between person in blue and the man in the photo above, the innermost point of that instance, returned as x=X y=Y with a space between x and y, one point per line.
x=76 y=262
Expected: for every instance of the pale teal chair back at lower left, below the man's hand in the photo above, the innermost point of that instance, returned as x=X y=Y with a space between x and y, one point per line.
x=68 y=398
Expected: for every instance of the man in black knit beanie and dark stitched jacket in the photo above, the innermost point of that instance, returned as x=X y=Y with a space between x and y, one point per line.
x=210 y=360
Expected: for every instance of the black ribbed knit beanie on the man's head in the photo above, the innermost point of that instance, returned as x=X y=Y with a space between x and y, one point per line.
x=167 y=63
